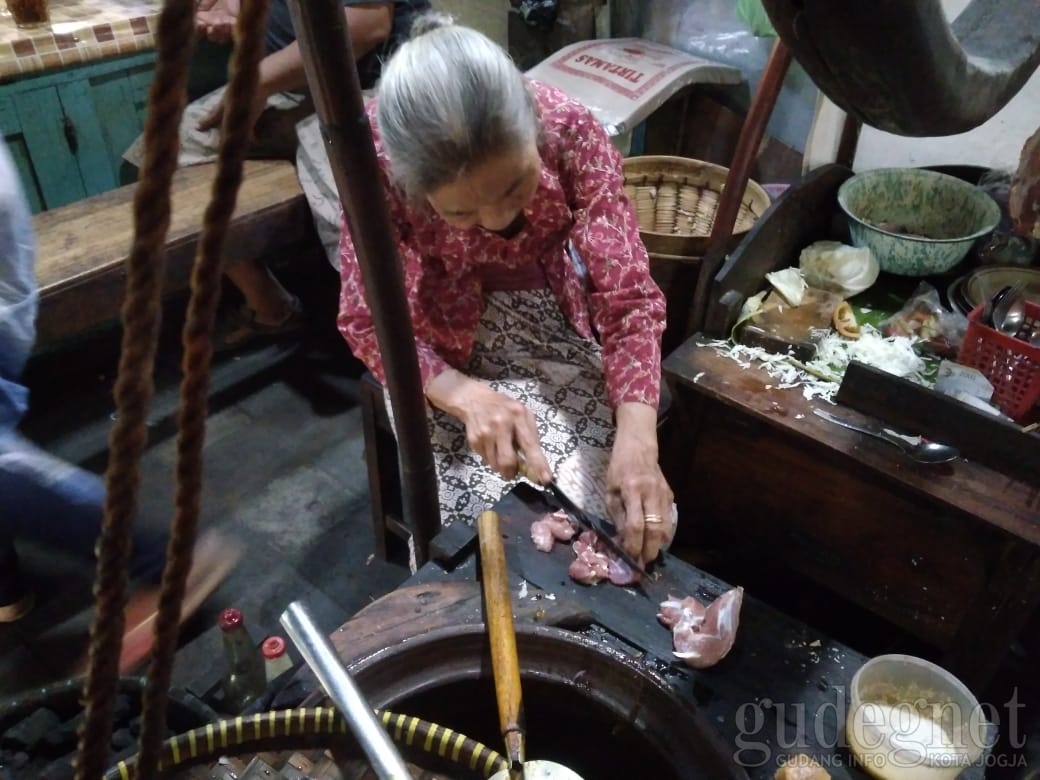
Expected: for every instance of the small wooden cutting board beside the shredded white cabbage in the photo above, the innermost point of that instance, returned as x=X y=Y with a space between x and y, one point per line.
x=792 y=330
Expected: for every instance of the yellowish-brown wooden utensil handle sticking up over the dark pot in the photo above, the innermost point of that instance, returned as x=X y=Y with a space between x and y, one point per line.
x=499 y=609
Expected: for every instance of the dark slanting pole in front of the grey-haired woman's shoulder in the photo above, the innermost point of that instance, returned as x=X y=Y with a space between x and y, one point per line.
x=332 y=76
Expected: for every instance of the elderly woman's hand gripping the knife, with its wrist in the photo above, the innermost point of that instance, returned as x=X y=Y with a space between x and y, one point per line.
x=498 y=428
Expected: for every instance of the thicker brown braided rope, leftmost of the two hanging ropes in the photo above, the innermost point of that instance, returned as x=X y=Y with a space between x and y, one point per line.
x=135 y=386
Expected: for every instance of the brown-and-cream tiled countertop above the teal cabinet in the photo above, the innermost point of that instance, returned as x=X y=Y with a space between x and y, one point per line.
x=82 y=32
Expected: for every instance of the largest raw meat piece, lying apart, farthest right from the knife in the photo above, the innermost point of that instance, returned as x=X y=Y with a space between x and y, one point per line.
x=703 y=636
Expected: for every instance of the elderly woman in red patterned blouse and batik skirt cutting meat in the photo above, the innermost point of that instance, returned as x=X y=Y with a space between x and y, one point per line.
x=538 y=326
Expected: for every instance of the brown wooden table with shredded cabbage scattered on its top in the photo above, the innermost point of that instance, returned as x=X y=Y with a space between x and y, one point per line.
x=949 y=554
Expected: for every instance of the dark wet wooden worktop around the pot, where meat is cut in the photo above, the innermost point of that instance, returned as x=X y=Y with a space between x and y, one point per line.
x=784 y=684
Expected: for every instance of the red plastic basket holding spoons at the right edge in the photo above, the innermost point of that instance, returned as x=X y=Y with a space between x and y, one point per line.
x=1011 y=366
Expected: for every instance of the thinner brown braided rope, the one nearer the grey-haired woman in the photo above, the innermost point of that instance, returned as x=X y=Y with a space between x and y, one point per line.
x=198 y=347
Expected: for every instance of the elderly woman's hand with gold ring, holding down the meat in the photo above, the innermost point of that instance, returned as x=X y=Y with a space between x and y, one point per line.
x=638 y=496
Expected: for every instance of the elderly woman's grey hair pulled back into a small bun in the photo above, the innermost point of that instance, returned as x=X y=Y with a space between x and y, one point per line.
x=450 y=100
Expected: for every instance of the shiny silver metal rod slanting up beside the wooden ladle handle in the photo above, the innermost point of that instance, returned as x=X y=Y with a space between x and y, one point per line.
x=322 y=658
